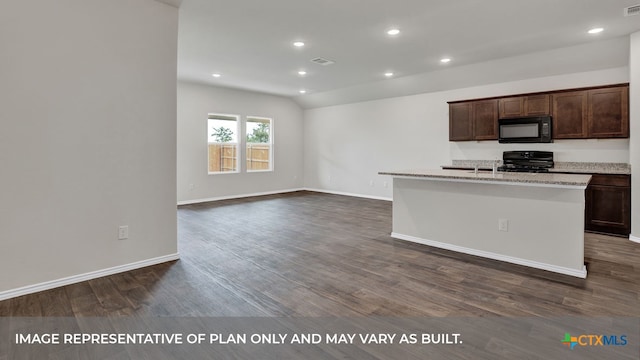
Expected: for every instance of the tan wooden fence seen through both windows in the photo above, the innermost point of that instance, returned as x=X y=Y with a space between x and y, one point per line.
x=224 y=158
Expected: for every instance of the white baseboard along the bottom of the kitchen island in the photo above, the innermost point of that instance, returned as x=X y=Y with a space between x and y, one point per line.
x=534 y=264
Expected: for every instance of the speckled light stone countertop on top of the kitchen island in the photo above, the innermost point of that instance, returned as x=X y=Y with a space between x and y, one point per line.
x=509 y=178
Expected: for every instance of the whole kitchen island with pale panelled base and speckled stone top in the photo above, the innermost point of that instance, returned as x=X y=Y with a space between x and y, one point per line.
x=531 y=219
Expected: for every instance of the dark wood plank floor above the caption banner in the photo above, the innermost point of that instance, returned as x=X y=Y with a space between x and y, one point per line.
x=311 y=254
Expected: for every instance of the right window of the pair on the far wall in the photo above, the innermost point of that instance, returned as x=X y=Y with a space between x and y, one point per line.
x=259 y=144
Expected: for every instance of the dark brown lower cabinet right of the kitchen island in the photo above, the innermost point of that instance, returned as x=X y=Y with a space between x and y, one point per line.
x=608 y=204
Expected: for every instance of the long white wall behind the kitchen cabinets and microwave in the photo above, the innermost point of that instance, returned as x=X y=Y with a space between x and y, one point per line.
x=346 y=145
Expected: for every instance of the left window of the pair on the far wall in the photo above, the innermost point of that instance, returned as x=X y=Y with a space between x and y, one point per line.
x=223 y=143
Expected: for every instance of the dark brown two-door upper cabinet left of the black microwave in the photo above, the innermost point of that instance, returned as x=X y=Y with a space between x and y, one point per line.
x=473 y=120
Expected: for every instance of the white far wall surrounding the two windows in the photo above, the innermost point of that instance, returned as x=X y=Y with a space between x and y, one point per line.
x=195 y=101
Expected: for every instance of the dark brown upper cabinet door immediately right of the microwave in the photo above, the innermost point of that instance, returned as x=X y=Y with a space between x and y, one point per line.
x=570 y=115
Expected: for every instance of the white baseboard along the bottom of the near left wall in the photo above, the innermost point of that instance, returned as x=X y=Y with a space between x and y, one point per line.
x=4 y=295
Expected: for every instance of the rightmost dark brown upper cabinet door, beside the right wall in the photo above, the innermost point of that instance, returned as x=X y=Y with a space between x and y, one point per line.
x=609 y=112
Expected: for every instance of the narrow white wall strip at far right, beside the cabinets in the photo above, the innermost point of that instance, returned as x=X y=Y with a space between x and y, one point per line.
x=634 y=148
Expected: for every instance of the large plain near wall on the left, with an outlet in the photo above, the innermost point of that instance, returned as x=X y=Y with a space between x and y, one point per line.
x=87 y=136
